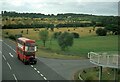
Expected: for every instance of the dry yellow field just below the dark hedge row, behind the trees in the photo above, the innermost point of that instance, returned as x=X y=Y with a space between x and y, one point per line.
x=35 y=34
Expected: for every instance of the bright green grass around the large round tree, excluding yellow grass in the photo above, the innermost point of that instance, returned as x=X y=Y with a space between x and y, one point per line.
x=84 y=45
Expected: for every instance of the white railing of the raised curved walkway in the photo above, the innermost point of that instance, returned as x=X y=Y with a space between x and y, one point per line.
x=104 y=60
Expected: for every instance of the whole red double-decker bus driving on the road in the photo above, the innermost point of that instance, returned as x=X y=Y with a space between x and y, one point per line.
x=26 y=50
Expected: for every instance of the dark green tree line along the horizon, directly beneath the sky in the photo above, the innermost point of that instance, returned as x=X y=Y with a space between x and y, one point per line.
x=105 y=20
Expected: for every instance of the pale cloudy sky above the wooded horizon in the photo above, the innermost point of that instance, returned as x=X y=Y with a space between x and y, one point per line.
x=95 y=7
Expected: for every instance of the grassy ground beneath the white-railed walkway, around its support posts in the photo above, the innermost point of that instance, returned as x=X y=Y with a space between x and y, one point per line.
x=93 y=74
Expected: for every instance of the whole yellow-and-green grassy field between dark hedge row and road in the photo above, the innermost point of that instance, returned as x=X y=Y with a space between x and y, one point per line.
x=86 y=43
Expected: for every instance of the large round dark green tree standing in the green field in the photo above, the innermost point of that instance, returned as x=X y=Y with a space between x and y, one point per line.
x=65 y=40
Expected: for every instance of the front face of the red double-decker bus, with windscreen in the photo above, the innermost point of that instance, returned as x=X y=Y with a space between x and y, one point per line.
x=30 y=49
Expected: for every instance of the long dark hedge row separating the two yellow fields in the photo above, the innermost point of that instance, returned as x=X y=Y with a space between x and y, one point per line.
x=17 y=26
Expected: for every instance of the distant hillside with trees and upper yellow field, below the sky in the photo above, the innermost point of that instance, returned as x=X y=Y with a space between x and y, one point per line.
x=37 y=20
